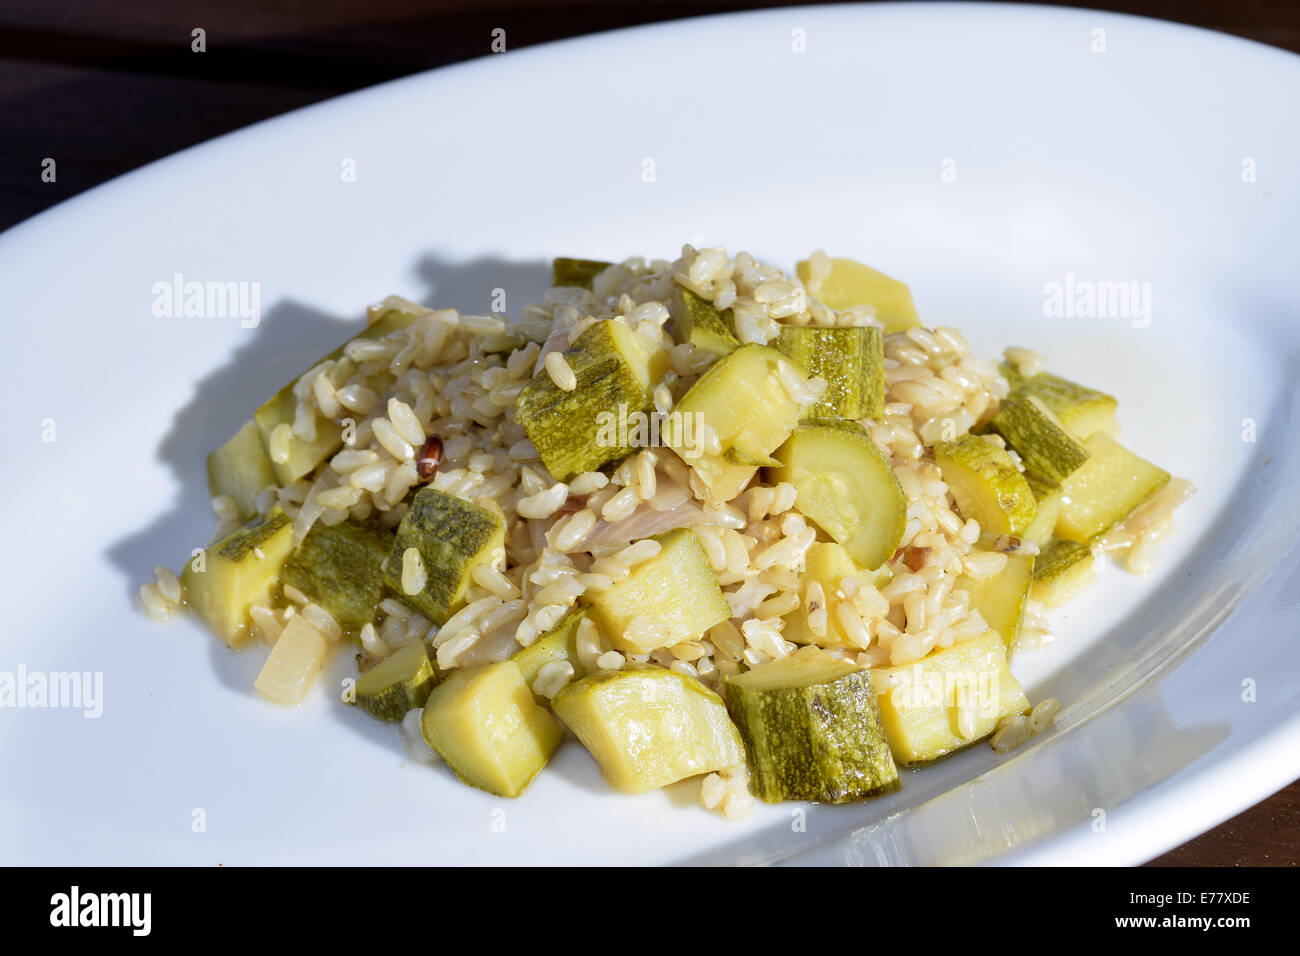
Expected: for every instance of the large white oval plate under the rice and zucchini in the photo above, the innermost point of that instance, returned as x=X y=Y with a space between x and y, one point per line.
x=1115 y=166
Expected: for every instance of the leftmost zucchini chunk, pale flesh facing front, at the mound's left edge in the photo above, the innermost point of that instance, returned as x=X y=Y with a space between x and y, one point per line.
x=239 y=572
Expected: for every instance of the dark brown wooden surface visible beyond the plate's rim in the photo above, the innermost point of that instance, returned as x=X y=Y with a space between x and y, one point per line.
x=106 y=88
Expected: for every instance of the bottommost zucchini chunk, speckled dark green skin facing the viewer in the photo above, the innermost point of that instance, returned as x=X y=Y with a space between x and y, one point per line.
x=812 y=729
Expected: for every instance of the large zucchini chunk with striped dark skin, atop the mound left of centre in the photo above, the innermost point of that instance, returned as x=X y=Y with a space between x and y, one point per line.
x=580 y=431
